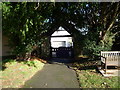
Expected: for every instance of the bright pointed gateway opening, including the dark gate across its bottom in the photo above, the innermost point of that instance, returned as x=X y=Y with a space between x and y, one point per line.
x=61 y=44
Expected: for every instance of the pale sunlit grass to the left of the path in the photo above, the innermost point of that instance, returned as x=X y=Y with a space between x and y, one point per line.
x=16 y=73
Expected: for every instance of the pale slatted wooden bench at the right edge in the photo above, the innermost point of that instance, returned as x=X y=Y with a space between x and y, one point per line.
x=110 y=58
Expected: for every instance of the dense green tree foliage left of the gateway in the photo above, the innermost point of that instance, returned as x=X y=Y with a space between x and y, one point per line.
x=23 y=26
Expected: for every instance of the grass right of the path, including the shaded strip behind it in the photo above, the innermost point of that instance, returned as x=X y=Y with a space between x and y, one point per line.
x=90 y=78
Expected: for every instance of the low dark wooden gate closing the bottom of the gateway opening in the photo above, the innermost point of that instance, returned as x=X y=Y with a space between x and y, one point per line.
x=62 y=52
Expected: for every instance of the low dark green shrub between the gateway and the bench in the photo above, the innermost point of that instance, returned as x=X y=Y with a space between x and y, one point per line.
x=92 y=48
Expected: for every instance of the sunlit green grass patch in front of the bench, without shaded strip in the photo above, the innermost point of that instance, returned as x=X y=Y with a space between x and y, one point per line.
x=92 y=79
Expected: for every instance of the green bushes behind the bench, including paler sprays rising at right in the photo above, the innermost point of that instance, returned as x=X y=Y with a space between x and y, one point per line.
x=92 y=47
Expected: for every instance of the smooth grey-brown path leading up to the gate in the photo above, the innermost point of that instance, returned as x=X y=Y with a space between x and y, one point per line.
x=53 y=76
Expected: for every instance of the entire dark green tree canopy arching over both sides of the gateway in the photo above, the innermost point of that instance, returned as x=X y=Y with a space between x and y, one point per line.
x=26 y=23
